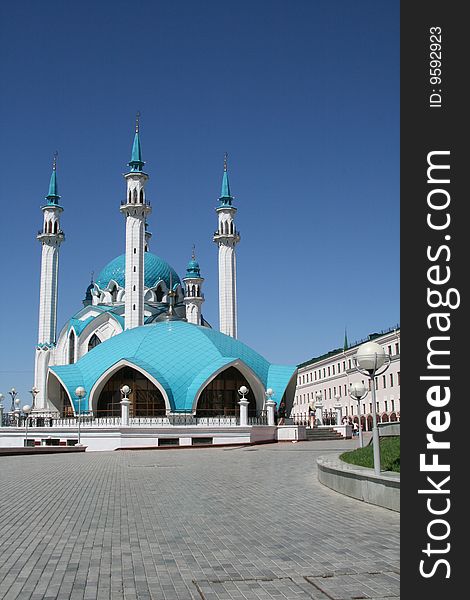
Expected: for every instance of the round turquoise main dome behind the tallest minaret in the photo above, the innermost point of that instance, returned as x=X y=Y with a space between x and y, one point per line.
x=155 y=269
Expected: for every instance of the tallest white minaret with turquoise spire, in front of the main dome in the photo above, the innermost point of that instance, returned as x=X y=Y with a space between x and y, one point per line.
x=136 y=209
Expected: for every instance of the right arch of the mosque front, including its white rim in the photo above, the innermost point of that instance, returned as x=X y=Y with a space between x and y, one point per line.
x=219 y=393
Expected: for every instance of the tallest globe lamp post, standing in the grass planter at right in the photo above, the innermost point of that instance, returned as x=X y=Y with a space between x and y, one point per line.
x=372 y=361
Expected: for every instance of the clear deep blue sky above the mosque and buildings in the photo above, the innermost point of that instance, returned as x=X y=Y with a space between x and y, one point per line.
x=304 y=96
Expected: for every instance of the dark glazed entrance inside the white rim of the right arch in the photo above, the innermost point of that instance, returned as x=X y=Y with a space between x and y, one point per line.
x=220 y=396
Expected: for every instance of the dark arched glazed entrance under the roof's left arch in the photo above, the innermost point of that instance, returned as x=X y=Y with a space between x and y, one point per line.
x=146 y=399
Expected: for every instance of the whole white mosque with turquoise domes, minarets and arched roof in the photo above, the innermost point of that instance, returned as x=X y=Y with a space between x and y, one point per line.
x=141 y=325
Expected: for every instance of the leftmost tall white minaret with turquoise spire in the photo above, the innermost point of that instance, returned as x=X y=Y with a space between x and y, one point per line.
x=50 y=237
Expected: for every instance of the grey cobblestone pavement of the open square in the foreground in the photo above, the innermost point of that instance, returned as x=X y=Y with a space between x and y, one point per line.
x=202 y=524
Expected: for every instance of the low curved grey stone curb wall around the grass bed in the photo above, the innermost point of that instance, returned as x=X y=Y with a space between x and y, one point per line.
x=359 y=482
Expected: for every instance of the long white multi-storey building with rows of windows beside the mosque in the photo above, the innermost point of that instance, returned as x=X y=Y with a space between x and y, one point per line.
x=324 y=382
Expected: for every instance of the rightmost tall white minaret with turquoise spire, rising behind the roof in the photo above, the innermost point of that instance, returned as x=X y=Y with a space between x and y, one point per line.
x=227 y=237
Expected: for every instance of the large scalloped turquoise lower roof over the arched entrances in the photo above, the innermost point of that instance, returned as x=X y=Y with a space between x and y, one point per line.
x=179 y=355
